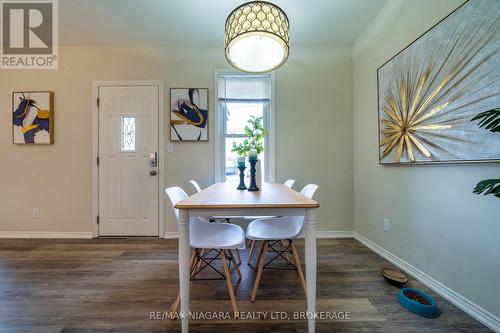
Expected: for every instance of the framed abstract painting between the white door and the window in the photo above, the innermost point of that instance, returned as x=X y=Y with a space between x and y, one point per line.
x=189 y=114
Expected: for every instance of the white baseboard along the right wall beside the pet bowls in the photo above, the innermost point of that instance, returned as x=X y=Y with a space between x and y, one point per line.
x=469 y=307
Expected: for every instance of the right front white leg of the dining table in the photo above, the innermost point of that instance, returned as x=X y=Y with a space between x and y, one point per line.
x=311 y=262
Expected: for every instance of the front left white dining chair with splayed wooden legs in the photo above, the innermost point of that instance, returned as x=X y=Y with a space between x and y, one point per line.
x=221 y=237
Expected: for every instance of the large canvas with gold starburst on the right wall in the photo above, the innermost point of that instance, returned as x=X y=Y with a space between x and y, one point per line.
x=431 y=93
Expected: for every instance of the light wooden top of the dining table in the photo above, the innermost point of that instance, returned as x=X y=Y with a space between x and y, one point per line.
x=225 y=195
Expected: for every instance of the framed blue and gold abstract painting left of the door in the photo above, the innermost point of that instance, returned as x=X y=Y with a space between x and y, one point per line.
x=33 y=117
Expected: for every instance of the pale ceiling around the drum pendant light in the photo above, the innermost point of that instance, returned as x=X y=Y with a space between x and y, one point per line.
x=201 y=22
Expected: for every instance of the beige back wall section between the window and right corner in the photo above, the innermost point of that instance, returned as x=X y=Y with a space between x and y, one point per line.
x=314 y=129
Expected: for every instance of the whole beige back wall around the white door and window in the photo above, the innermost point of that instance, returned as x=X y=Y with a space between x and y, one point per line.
x=313 y=134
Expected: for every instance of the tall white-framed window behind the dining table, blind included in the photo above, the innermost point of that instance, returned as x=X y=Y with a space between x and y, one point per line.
x=239 y=97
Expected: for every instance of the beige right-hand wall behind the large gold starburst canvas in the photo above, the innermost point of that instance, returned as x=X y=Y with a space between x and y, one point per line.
x=438 y=226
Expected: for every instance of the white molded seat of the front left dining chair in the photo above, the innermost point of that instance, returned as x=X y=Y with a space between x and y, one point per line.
x=215 y=235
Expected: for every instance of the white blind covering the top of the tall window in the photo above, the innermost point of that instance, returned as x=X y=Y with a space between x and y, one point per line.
x=244 y=87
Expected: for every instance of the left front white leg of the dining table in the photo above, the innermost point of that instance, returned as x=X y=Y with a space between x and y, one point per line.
x=184 y=247
